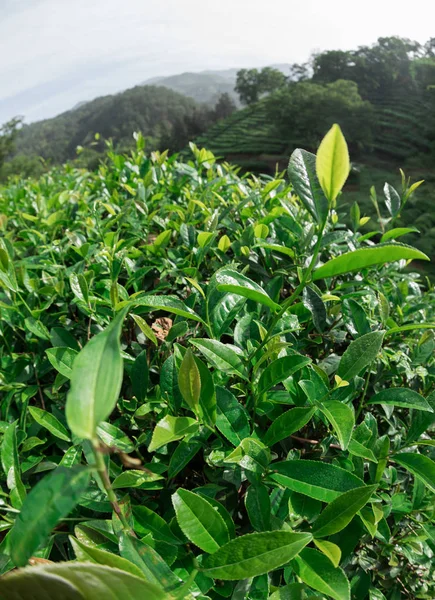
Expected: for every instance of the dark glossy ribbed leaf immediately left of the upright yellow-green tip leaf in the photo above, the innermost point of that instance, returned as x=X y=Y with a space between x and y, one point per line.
x=303 y=177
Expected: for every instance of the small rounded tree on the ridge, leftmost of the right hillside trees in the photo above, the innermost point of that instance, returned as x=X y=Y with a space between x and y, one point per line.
x=251 y=84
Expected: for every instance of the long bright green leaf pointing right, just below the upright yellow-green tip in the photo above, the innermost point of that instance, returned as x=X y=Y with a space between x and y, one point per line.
x=367 y=257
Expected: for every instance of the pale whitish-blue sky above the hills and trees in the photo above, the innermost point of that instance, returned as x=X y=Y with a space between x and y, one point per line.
x=57 y=53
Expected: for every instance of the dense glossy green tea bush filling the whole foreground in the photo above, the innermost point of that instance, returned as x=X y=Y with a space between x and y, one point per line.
x=211 y=387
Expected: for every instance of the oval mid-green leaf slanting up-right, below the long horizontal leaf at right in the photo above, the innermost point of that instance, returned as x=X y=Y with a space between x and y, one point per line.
x=360 y=354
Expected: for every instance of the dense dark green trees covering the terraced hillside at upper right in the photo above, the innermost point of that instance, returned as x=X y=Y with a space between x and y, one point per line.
x=382 y=95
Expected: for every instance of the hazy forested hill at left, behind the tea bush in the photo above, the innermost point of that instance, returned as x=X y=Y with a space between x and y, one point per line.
x=166 y=118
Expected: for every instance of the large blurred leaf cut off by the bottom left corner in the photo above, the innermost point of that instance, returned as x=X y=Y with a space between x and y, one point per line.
x=76 y=581
